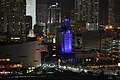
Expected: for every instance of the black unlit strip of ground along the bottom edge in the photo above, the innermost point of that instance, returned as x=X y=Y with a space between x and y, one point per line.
x=59 y=76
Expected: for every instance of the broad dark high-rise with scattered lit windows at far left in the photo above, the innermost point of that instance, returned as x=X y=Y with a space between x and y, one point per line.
x=12 y=20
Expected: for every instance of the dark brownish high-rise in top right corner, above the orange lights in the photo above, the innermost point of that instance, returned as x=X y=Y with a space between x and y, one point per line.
x=114 y=13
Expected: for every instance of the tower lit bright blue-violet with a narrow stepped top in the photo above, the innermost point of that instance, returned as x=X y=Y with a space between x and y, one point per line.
x=66 y=40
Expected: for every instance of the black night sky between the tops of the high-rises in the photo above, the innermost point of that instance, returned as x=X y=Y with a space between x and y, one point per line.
x=64 y=4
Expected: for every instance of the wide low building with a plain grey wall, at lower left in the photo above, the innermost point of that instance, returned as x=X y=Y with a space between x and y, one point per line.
x=26 y=53
